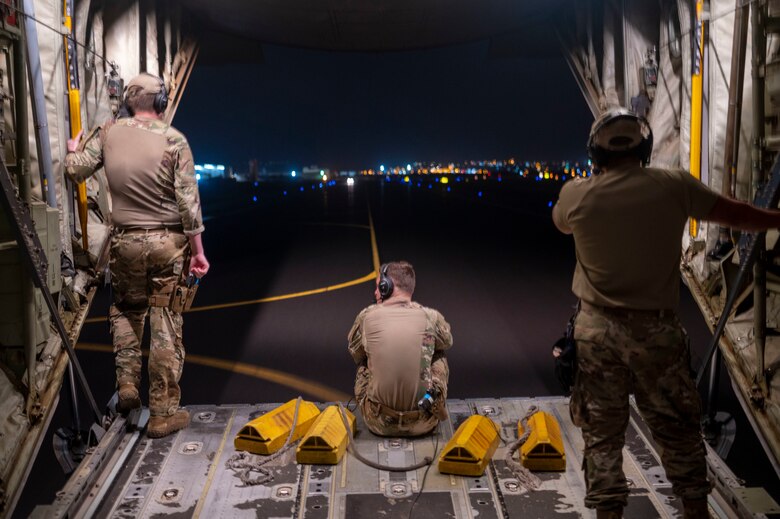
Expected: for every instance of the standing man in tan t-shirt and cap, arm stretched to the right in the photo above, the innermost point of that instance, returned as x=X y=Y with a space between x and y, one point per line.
x=627 y=223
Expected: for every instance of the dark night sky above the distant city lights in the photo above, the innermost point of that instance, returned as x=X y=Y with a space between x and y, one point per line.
x=353 y=110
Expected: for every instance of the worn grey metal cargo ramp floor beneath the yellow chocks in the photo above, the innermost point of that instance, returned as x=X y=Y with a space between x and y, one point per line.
x=186 y=474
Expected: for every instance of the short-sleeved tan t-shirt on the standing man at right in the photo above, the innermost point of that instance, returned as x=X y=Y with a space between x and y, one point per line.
x=627 y=225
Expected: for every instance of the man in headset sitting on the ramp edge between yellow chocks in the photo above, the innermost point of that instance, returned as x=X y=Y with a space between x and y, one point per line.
x=399 y=348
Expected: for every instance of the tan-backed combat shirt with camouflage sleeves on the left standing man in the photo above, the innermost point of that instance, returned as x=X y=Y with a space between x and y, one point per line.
x=150 y=172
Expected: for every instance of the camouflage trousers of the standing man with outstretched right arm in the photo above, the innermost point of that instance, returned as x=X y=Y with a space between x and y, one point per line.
x=644 y=353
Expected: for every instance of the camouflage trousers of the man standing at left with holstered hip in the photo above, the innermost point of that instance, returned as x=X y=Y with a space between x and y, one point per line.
x=143 y=263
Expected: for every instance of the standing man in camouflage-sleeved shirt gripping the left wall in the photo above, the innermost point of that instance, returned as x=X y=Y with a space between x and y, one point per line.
x=155 y=244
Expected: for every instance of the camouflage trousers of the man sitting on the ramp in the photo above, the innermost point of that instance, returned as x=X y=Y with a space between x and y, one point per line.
x=384 y=421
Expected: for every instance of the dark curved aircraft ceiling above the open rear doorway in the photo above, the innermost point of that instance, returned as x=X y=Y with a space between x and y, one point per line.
x=357 y=25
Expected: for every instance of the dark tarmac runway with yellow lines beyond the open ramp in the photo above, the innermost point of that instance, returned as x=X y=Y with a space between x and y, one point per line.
x=292 y=263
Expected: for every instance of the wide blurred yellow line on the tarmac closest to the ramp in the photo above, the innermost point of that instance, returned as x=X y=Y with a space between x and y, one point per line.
x=319 y=391
